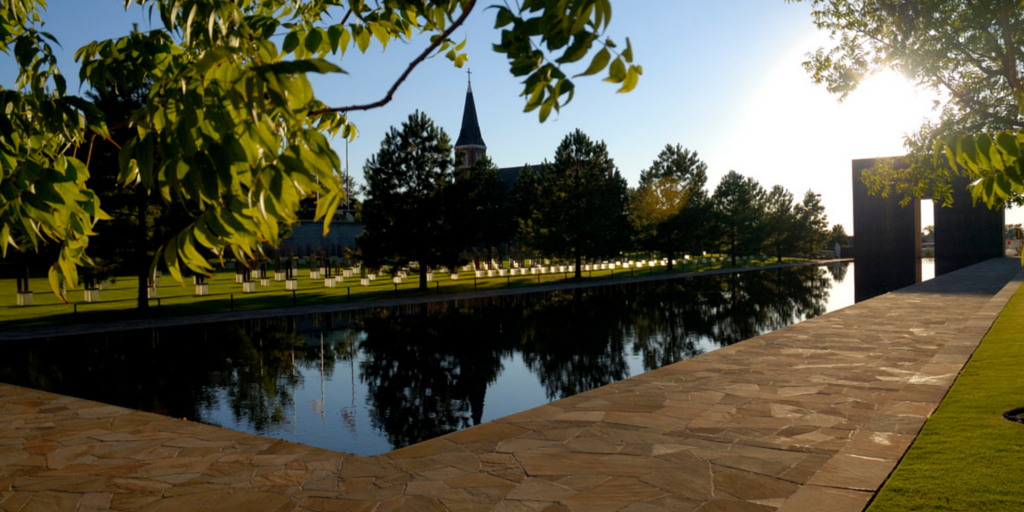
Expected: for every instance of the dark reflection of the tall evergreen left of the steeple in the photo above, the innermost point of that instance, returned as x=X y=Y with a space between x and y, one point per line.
x=428 y=375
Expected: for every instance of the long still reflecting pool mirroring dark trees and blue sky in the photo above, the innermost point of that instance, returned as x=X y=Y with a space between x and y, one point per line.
x=370 y=382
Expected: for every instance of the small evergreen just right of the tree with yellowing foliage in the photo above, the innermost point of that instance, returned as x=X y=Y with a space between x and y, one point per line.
x=740 y=209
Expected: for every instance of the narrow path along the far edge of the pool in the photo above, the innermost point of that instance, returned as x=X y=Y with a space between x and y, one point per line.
x=132 y=325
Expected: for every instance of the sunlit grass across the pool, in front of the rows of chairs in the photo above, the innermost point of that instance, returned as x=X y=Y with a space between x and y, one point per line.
x=226 y=295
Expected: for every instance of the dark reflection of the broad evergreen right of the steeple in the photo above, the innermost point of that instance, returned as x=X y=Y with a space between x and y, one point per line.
x=575 y=343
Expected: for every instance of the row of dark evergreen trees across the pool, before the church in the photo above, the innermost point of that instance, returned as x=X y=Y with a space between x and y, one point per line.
x=420 y=208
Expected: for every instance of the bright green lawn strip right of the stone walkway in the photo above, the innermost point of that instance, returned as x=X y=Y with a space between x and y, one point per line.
x=968 y=457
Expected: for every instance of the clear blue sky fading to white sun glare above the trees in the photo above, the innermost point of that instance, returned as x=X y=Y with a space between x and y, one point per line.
x=723 y=79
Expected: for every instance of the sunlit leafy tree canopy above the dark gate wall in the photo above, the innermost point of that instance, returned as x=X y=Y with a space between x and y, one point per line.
x=969 y=51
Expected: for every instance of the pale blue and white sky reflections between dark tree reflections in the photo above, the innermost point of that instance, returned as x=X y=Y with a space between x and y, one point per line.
x=335 y=411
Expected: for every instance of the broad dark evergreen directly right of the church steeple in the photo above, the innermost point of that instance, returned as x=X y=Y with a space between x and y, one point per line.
x=581 y=205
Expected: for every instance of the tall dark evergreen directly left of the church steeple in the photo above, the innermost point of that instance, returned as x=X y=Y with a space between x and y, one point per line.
x=408 y=214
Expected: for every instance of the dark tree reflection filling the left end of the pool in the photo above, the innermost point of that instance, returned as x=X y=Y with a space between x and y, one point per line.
x=183 y=373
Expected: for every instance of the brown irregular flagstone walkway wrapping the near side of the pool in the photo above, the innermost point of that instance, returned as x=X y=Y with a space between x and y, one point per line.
x=812 y=417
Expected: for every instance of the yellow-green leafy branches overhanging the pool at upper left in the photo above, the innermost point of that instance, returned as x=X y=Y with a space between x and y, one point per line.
x=232 y=129
